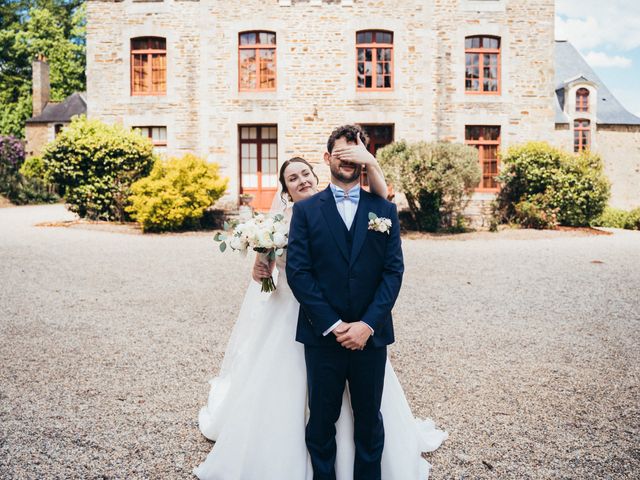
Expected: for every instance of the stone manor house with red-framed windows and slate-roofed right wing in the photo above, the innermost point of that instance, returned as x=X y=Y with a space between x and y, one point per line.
x=248 y=84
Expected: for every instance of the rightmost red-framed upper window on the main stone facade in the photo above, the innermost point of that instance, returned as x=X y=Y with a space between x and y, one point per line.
x=482 y=65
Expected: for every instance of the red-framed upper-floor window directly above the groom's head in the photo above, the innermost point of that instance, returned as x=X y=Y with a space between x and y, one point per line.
x=374 y=64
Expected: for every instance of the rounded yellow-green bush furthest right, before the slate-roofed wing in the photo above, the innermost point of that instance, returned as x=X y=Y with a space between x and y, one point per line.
x=540 y=181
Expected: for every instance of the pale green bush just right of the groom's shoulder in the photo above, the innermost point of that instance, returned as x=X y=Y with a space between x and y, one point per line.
x=436 y=179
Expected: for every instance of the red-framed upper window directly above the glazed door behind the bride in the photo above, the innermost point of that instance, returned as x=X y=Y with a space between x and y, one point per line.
x=257 y=61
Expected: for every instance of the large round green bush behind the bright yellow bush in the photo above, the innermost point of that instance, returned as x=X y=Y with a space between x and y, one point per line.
x=94 y=165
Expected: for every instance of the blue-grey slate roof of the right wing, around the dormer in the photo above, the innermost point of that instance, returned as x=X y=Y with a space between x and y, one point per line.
x=570 y=66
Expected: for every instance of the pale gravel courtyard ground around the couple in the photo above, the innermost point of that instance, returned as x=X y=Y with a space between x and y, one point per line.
x=524 y=347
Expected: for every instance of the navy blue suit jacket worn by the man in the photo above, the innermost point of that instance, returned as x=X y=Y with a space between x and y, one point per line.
x=332 y=283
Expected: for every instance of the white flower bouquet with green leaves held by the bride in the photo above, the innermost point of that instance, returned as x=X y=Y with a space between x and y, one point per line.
x=265 y=234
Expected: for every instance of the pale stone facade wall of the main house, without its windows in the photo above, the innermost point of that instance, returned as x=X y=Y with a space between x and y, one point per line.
x=316 y=71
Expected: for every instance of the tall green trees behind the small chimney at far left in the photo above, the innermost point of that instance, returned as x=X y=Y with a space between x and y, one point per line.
x=53 y=28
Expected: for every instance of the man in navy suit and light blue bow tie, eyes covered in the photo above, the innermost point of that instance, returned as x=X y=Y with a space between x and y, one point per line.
x=346 y=277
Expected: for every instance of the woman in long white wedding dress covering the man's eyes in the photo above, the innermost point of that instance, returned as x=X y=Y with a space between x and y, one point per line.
x=257 y=406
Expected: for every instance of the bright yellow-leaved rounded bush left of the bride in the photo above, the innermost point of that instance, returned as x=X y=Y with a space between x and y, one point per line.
x=176 y=193
